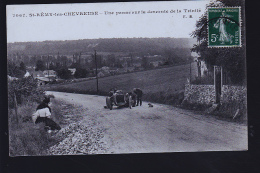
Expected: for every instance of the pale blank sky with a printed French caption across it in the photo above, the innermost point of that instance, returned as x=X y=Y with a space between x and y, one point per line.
x=23 y=29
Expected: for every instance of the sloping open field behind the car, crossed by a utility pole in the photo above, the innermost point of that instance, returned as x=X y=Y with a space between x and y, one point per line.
x=160 y=85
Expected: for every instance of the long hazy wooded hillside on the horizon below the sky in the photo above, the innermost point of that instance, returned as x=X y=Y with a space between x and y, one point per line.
x=126 y=45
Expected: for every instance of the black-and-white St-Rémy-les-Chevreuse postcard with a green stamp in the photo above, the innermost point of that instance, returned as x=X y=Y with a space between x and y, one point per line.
x=126 y=77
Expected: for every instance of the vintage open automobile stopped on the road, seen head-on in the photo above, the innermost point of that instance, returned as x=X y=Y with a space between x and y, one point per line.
x=120 y=99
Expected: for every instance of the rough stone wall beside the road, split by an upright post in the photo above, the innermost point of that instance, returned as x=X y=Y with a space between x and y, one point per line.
x=205 y=94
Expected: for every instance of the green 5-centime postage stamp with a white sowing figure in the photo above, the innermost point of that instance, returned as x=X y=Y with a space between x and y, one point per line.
x=224 y=28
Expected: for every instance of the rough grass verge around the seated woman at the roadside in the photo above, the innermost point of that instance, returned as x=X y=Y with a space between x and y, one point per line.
x=27 y=138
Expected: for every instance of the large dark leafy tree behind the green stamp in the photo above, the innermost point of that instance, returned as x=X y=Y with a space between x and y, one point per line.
x=232 y=59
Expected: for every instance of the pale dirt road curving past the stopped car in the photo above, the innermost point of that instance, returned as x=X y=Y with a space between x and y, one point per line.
x=160 y=128
